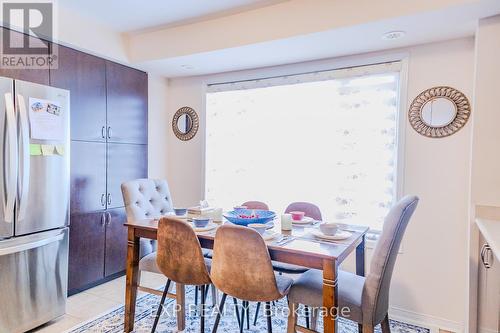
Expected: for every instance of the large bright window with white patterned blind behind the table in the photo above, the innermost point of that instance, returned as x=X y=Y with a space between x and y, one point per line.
x=329 y=138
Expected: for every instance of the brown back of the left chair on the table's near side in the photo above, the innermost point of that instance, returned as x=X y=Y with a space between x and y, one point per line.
x=179 y=256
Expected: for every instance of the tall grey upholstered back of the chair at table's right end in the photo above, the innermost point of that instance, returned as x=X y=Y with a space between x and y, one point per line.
x=376 y=289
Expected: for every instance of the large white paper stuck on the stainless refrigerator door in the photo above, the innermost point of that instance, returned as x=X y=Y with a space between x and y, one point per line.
x=46 y=121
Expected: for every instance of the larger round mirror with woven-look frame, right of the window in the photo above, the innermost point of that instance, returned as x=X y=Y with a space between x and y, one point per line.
x=438 y=112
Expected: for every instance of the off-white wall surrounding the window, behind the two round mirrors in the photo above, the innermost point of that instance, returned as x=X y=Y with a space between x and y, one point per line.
x=429 y=284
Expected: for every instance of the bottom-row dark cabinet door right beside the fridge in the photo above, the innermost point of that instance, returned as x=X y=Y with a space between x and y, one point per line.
x=86 y=249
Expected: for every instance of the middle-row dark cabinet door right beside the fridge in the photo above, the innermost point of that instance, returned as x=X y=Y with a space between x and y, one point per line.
x=88 y=176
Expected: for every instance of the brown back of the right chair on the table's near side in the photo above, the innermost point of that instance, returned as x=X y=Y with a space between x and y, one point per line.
x=241 y=266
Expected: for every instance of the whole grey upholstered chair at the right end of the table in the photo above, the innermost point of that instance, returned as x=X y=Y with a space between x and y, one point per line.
x=367 y=298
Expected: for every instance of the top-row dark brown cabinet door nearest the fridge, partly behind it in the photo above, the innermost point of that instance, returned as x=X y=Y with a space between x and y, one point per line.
x=85 y=77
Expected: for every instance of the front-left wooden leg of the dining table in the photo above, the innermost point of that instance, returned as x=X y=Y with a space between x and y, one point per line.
x=131 y=282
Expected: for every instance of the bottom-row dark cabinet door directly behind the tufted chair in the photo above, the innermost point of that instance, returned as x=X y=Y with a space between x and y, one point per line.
x=116 y=242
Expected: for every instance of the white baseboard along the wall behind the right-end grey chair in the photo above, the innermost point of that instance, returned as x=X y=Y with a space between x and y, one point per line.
x=424 y=320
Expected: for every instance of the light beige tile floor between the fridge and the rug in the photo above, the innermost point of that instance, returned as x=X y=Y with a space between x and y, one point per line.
x=93 y=302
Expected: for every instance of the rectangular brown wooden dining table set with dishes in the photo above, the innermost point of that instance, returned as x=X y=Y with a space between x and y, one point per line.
x=298 y=246
